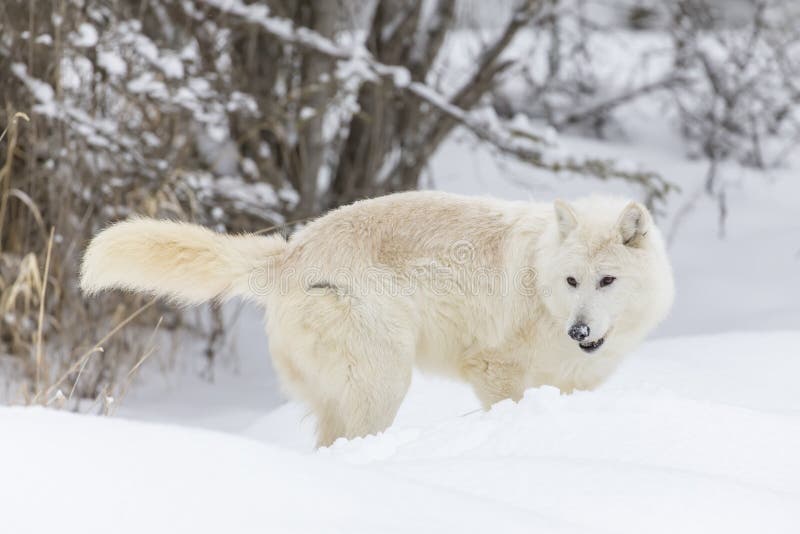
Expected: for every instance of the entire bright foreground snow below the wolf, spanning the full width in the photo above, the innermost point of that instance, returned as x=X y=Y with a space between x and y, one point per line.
x=697 y=434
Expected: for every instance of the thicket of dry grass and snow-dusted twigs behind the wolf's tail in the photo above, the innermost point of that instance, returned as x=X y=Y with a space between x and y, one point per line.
x=61 y=180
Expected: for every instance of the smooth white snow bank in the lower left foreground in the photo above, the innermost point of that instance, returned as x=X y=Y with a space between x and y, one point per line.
x=70 y=473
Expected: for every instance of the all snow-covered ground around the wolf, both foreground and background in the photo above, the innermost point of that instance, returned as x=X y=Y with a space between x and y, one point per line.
x=695 y=433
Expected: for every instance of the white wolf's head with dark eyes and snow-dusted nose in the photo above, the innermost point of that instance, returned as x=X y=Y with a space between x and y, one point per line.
x=604 y=272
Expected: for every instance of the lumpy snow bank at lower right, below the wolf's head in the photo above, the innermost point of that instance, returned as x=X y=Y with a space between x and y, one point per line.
x=622 y=461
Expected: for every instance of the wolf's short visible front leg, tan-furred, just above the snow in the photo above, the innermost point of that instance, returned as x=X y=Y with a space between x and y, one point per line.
x=495 y=377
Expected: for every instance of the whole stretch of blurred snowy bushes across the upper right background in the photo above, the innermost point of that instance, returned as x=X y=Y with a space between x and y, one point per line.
x=723 y=72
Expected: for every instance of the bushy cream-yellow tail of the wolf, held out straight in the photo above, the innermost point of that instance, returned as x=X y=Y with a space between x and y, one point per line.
x=186 y=262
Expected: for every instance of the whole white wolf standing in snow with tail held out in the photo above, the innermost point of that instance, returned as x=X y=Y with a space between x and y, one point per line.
x=504 y=295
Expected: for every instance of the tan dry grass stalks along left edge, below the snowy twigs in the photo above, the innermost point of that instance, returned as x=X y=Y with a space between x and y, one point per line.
x=44 y=321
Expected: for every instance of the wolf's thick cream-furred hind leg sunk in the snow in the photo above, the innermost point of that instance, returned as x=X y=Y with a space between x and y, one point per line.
x=349 y=360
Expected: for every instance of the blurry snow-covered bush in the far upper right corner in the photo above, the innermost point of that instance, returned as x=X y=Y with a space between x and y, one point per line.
x=741 y=97
